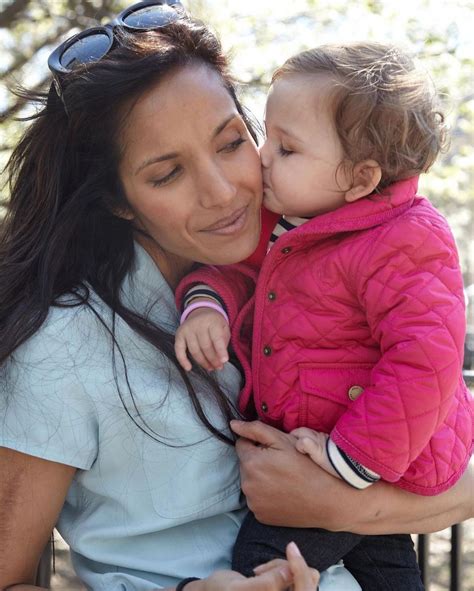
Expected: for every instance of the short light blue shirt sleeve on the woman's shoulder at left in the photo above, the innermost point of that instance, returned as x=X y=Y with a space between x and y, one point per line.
x=45 y=410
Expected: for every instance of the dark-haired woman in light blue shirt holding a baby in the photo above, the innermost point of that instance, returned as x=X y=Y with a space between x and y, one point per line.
x=102 y=432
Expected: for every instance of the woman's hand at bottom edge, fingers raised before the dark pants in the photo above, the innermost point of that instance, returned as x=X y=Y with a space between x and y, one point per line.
x=276 y=575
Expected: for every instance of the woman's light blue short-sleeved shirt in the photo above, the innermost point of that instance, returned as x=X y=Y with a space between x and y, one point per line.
x=140 y=513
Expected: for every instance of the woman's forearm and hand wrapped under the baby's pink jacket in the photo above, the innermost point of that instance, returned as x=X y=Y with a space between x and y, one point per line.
x=284 y=487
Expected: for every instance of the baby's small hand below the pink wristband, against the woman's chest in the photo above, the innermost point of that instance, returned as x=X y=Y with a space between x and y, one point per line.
x=205 y=334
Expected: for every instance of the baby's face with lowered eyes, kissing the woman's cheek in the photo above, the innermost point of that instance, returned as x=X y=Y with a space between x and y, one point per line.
x=302 y=152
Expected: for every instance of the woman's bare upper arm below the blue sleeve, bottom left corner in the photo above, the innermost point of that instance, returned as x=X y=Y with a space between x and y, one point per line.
x=32 y=493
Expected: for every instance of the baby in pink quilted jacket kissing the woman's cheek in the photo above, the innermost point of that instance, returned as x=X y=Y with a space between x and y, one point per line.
x=358 y=308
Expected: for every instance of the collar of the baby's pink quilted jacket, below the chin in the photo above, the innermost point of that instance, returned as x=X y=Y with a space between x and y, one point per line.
x=364 y=213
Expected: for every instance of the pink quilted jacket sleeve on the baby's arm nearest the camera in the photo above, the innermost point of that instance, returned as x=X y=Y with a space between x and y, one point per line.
x=410 y=286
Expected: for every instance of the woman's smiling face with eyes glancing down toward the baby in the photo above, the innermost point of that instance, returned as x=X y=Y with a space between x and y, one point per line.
x=191 y=171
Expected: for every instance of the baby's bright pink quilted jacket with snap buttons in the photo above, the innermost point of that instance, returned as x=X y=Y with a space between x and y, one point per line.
x=358 y=332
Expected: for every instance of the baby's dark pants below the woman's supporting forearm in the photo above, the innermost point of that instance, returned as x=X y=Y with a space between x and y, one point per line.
x=379 y=563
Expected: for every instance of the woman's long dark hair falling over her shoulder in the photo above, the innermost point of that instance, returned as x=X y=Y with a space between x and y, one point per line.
x=60 y=235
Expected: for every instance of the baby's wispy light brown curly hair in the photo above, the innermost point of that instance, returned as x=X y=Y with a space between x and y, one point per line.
x=385 y=108
